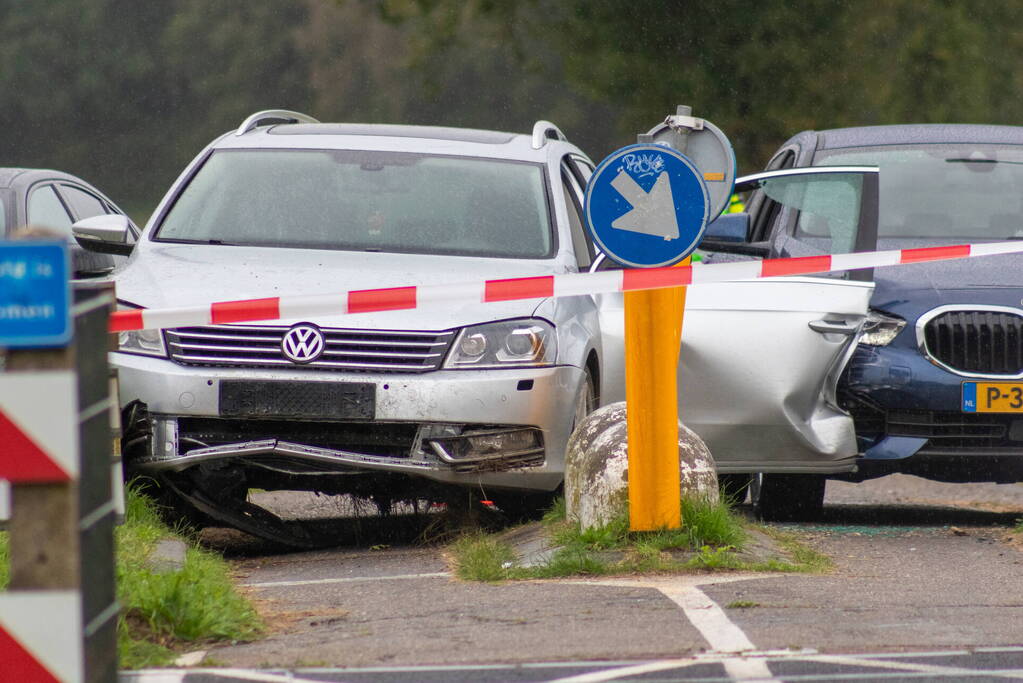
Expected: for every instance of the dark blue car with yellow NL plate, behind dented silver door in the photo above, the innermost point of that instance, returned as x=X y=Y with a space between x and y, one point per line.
x=936 y=385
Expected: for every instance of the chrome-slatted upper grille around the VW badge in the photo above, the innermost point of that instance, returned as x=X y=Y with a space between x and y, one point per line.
x=350 y=350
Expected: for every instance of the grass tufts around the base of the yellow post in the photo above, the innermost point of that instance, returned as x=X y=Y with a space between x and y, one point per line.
x=708 y=541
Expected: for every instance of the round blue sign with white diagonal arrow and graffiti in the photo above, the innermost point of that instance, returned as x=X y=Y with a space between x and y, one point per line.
x=647 y=206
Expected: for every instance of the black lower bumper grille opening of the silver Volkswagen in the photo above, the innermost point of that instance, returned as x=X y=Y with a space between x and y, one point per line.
x=391 y=440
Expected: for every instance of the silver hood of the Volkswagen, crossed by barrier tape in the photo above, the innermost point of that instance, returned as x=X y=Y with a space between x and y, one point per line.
x=185 y=276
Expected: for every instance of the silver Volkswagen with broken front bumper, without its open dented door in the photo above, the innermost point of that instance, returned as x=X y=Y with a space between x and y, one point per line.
x=391 y=406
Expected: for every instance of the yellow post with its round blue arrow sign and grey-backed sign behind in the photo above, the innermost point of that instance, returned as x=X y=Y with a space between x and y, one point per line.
x=647 y=207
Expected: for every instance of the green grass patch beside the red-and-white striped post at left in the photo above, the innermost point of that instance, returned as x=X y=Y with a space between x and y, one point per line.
x=163 y=615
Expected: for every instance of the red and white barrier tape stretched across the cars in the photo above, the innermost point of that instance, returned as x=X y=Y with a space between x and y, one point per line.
x=397 y=299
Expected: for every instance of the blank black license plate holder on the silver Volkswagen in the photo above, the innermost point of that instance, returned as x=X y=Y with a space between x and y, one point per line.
x=299 y=400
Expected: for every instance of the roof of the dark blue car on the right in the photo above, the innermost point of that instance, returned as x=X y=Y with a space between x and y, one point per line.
x=872 y=136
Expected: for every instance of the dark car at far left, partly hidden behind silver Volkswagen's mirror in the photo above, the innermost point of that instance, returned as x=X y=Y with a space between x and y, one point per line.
x=57 y=201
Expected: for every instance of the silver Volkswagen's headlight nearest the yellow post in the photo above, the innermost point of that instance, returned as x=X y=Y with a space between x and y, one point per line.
x=509 y=344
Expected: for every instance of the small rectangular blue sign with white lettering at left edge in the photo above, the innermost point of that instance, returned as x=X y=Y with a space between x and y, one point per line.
x=35 y=295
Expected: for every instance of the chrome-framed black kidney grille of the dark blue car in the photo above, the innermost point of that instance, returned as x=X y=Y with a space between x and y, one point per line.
x=982 y=342
